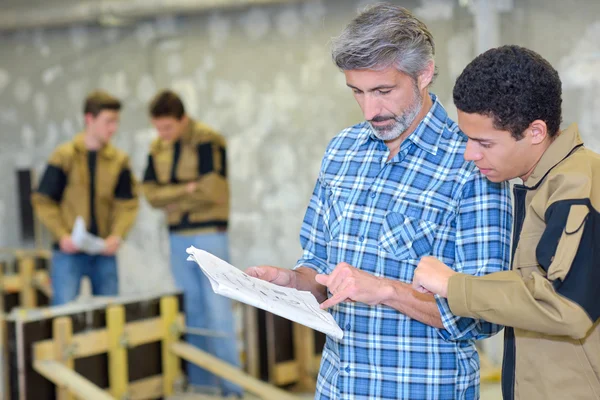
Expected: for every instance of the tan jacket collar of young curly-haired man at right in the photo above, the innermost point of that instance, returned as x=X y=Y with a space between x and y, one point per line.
x=562 y=146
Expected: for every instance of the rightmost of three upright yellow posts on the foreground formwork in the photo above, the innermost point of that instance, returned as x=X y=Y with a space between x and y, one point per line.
x=169 y=307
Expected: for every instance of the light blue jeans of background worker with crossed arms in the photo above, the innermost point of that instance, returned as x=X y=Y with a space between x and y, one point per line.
x=204 y=308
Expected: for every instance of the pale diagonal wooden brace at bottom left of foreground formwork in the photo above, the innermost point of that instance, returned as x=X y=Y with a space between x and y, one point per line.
x=70 y=381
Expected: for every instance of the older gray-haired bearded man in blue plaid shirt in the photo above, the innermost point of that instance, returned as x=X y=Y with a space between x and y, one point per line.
x=391 y=190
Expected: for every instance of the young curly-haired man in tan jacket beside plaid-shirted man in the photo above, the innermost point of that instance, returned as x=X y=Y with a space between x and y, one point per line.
x=509 y=104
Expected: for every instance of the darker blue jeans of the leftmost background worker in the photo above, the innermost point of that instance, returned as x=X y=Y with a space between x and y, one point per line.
x=67 y=270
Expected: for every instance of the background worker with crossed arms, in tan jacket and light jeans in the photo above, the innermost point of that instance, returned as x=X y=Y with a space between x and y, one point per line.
x=186 y=176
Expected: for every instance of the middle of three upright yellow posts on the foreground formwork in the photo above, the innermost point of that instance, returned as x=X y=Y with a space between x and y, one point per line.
x=118 y=376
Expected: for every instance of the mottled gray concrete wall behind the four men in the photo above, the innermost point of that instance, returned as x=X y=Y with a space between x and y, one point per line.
x=264 y=78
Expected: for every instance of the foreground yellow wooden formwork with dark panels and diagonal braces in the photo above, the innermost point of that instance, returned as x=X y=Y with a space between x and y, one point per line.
x=110 y=349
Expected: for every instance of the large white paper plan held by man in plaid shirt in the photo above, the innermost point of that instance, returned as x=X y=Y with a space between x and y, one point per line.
x=292 y=304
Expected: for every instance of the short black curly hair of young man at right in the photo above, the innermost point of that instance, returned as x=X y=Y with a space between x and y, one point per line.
x=512 y=85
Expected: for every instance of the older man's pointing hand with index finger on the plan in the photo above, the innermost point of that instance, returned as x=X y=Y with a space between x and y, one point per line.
x=348 y=283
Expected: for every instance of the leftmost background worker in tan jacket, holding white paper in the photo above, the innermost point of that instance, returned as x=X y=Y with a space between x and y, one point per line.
x=91 y=178
